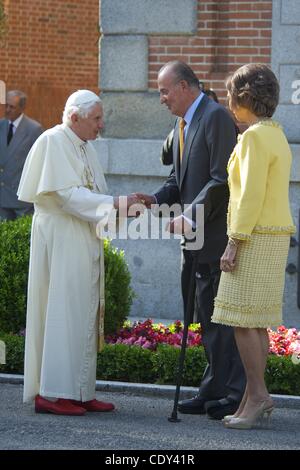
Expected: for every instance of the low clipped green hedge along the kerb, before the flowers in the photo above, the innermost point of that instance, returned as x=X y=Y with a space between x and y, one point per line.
x=125 y=363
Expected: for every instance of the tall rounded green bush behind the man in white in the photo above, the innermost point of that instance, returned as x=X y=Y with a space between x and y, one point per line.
x=14 y=262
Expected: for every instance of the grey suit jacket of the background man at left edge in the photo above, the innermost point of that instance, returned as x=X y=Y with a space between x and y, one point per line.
x=12 y=159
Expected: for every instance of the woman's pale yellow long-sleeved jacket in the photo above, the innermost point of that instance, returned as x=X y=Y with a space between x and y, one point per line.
x=259 y=172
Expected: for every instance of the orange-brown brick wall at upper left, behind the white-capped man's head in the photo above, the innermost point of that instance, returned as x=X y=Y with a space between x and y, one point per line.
x=51 y=50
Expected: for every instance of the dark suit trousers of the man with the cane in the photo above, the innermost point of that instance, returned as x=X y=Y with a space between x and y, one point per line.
x=224 y=375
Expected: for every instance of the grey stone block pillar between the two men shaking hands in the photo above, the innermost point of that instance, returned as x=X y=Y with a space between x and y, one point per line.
x=135 y=124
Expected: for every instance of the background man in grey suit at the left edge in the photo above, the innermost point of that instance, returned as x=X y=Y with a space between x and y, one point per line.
x=17 y=135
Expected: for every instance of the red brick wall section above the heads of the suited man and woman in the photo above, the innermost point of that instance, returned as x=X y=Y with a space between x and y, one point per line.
x=229 y=34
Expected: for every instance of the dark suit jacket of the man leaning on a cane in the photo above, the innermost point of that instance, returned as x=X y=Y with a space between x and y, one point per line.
x=202 y=176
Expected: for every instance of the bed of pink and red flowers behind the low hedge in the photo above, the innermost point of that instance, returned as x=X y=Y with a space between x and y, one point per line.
x=283 y=342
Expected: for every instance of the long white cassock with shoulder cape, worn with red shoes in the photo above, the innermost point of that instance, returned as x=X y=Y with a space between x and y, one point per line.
x=63 y=177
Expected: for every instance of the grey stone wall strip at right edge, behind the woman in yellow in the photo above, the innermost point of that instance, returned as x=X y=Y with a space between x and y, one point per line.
x=286 y=65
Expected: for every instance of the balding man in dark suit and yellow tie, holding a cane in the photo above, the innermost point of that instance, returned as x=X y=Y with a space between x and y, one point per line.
x=199 y=176
